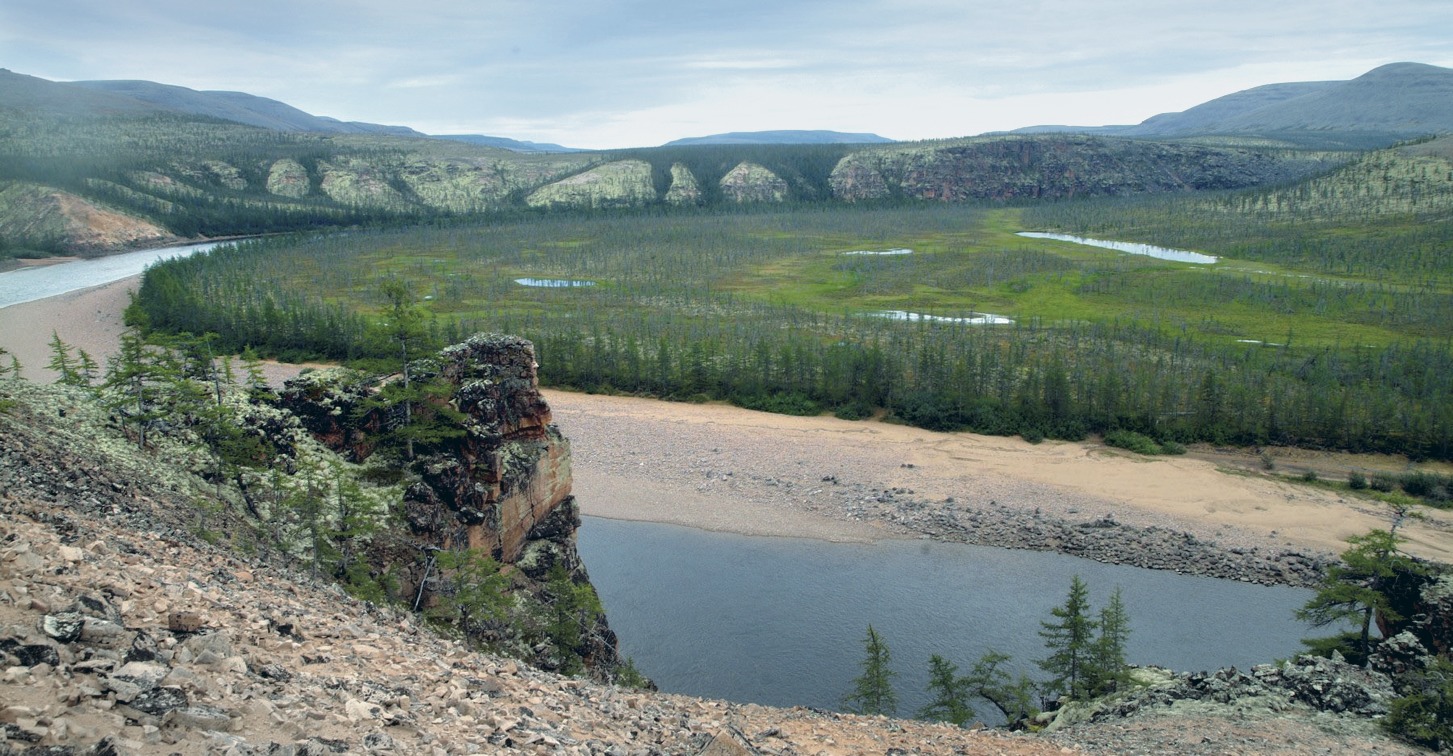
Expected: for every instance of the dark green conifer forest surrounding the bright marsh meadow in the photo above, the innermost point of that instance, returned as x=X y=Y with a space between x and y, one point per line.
x=663 y=325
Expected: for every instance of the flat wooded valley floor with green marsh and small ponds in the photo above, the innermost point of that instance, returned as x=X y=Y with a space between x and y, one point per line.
x=1317 y=328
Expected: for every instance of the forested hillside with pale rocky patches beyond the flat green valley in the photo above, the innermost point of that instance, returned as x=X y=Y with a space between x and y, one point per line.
x=166 y=159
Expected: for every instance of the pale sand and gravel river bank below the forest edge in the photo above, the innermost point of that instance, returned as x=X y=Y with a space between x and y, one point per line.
x=720 y=467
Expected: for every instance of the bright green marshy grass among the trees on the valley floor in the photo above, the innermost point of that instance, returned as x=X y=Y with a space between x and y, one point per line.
x=989 y=270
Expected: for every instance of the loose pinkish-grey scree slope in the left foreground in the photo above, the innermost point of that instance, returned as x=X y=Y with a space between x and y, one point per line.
x=121 y=632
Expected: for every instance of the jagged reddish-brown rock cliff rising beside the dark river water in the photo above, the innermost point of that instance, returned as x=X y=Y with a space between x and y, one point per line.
x=490 y=478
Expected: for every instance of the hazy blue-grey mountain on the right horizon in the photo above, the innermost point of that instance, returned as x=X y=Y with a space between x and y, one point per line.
x=1399 y=100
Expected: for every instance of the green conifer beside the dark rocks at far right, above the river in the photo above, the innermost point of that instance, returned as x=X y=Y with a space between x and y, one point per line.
x=1362 y=588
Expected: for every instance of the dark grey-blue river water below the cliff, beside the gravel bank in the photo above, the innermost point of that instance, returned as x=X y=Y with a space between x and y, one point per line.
x=781 y=622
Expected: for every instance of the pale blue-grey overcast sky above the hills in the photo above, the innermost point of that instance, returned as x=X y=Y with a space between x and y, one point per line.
x=628 y=73
